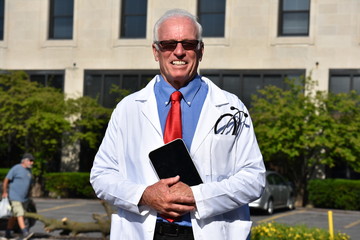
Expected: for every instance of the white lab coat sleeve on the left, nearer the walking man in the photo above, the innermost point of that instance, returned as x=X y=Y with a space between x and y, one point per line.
x=109 y=175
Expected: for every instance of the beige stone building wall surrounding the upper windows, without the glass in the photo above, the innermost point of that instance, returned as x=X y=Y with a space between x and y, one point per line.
x=250 y=40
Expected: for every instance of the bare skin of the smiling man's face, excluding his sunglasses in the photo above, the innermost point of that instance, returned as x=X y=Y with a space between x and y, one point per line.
x=178 y=66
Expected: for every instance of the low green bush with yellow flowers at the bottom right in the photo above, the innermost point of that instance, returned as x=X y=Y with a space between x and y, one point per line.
x=277 y=231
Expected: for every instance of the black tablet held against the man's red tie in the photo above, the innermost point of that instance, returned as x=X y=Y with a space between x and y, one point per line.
x=173 y=159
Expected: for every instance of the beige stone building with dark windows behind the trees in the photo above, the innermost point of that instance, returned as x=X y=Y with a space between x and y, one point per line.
x=85 y=46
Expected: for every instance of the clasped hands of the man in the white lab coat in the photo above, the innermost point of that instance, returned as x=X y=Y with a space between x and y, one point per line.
x=169 y=197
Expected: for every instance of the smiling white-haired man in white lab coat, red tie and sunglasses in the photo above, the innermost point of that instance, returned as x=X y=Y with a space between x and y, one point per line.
x=179 y=103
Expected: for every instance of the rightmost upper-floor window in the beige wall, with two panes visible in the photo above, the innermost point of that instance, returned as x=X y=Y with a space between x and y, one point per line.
x=294 y=18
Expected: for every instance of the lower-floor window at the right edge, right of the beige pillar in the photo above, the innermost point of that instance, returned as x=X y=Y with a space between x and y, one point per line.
x=343 y=81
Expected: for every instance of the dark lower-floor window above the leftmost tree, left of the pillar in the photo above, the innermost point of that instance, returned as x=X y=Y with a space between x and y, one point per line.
x=53 y=79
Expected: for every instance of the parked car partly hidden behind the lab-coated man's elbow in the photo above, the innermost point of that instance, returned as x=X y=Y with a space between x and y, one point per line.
x=278 y=193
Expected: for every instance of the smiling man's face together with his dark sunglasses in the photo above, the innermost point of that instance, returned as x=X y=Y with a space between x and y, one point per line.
x=178 y=62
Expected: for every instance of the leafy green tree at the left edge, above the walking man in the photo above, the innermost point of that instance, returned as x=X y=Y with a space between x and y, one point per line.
x=31 y=117
